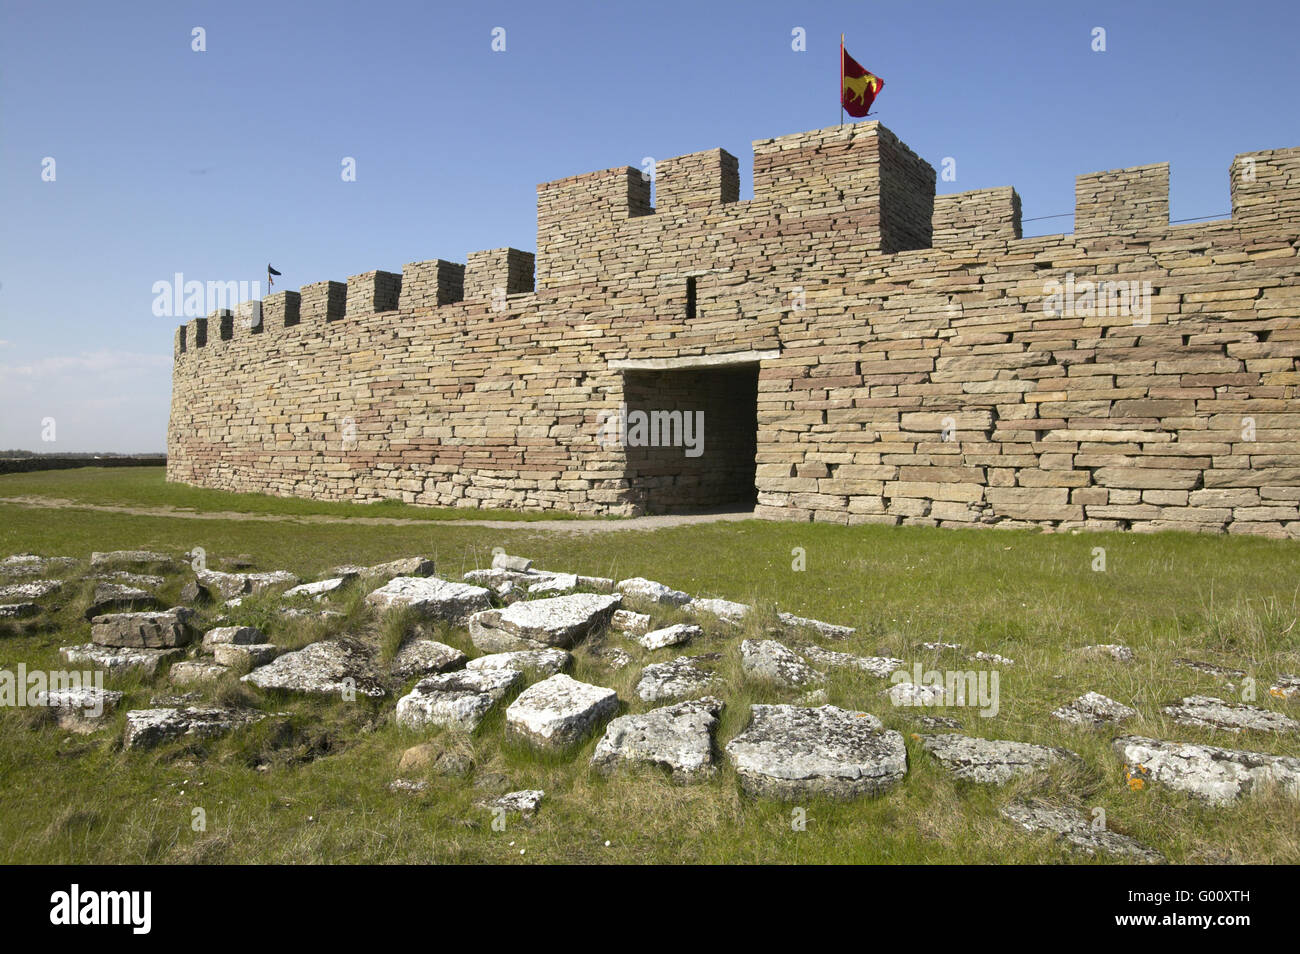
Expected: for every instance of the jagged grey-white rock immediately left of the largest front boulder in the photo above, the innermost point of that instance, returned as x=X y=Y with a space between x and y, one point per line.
x=675 y=738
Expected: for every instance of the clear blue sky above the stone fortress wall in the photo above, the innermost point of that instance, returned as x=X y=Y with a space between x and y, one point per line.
x=214 y=163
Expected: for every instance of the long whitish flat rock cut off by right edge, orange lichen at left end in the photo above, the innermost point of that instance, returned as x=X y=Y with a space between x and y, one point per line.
x=1215 y=775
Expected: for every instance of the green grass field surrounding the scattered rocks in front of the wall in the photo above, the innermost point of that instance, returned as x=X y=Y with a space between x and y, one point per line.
x=315 y=787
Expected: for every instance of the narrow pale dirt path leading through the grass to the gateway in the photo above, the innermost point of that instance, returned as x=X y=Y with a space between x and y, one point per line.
x=656 y=523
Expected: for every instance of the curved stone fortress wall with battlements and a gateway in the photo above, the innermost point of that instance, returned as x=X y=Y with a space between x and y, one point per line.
x=864 y=352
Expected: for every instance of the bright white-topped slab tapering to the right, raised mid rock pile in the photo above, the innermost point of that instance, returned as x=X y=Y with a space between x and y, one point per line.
x=541 y=623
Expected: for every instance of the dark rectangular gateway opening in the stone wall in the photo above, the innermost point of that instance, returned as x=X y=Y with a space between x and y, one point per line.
x=692 y=437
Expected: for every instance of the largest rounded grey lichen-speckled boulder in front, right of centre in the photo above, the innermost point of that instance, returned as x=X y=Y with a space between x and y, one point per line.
x=792 y=753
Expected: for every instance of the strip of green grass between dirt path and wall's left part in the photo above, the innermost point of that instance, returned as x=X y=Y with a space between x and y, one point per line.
x=148 y=488
